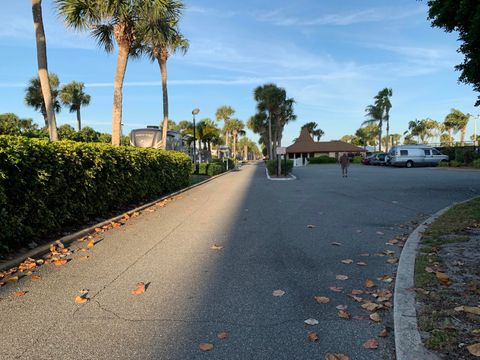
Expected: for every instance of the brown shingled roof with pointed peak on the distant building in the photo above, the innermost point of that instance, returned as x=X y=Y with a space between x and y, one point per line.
x=305 y=144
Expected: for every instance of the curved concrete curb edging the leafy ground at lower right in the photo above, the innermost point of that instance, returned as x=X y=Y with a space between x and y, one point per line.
x=408 y=343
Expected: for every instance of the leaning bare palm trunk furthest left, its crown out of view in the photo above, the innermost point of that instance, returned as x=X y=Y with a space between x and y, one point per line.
x=43 y=68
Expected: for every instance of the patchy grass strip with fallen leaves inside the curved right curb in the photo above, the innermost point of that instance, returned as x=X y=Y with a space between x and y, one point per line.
x=447 y=282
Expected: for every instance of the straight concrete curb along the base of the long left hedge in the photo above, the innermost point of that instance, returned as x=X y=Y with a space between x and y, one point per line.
x=68 y=239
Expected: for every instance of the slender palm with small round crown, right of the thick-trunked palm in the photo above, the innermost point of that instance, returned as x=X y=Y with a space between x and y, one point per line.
x=161 y=39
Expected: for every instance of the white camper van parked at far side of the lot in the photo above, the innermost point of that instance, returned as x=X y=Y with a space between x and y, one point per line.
x=415 y=155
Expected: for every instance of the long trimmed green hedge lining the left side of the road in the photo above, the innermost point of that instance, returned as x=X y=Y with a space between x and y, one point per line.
x=45 y=186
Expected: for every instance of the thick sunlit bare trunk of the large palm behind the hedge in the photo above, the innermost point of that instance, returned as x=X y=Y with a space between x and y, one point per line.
x=122 y=60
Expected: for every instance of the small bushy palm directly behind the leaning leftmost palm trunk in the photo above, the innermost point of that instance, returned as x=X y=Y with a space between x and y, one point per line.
x=34 y=96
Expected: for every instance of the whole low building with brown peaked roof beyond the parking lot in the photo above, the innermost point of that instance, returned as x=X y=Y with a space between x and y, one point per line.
x=305 y=147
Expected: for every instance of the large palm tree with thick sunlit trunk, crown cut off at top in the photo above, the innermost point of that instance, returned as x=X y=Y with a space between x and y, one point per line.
x=117 y=21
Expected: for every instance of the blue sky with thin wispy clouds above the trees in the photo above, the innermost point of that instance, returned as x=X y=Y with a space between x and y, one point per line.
x=332 y=57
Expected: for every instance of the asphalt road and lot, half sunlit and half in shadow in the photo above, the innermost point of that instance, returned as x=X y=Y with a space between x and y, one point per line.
x=196 y=292
